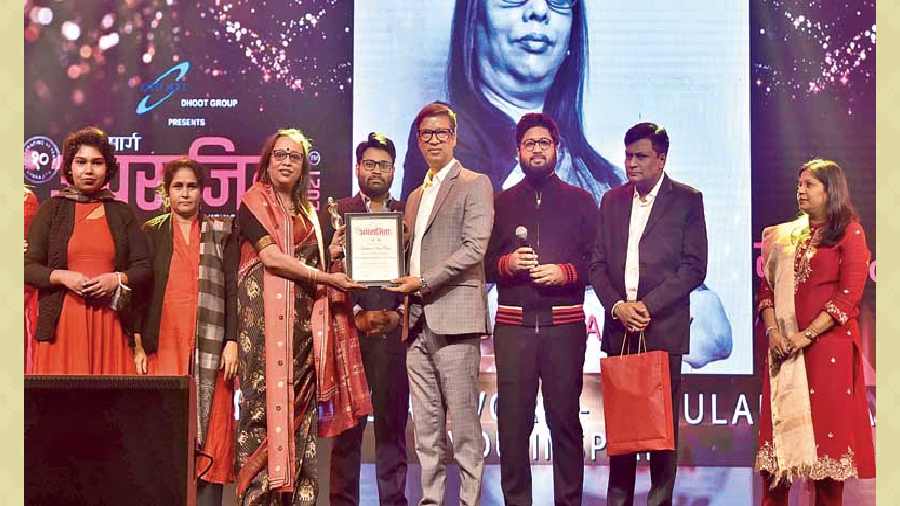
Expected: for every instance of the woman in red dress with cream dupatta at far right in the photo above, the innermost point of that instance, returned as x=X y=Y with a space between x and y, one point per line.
x=815 y=271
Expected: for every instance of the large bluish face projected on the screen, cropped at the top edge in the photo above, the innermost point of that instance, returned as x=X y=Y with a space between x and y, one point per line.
x=520 y=45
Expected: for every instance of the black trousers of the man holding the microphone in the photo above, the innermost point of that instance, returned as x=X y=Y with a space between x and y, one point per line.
x=554 y=357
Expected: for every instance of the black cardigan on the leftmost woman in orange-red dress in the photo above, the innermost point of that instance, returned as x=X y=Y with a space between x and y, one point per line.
x=48 y=246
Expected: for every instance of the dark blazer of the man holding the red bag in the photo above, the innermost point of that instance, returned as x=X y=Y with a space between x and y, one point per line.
x=673 y=258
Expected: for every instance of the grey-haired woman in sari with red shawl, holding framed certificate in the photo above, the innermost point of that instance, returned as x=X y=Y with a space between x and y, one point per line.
x=298 y=355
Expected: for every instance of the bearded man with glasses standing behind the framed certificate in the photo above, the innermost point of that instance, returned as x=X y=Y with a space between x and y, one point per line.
x=377 y=315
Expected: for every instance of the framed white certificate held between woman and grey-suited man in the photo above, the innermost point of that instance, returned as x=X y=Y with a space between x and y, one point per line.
x=374 y=247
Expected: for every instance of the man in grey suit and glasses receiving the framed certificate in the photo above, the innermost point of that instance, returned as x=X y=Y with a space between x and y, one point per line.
x=449 y=218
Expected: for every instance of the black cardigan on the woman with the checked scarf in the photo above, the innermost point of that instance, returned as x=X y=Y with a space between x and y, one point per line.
x=149 y=300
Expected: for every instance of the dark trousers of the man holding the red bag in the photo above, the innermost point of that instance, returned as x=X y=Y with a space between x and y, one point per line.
x=663 y=464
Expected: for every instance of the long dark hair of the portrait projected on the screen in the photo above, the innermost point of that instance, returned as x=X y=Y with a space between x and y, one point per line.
x=564 y=101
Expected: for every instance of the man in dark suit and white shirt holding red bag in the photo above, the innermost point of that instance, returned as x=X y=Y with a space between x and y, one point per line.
x=650 y=253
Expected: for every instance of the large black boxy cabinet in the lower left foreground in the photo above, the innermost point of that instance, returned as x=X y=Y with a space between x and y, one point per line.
x=109 y=440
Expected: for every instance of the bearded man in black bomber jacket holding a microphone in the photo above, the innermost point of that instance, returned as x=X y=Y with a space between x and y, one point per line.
x=539 y=333
